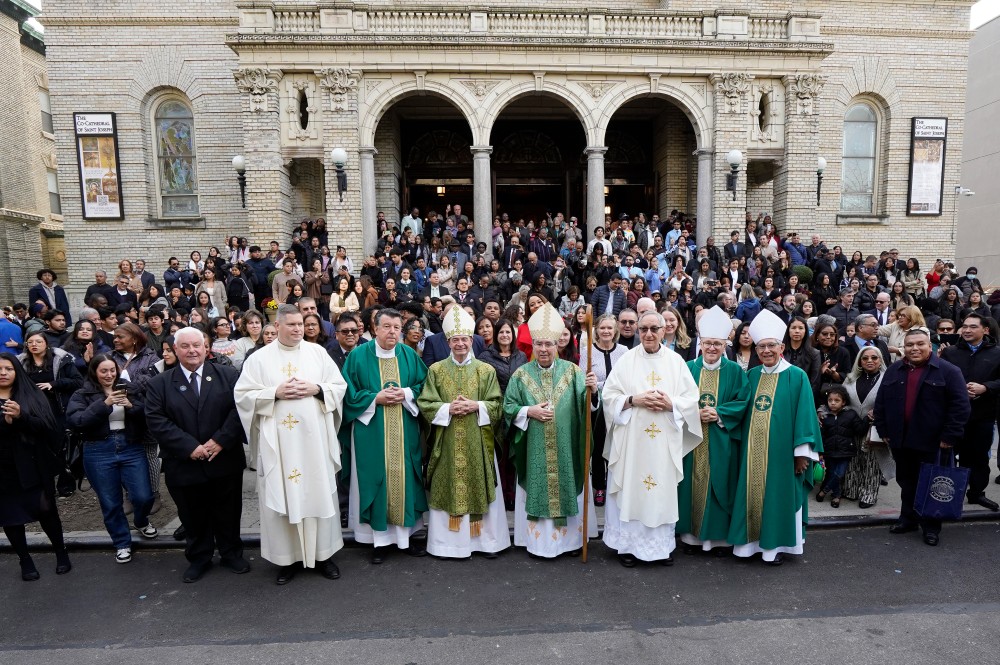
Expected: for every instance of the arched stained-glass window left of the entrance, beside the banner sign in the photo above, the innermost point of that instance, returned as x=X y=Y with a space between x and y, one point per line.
x=176 y=159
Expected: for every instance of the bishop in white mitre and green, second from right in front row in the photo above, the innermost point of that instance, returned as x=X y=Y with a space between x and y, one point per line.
x=707 y=492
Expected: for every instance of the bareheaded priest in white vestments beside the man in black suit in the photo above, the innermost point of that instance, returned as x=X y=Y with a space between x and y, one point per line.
x=289 y=396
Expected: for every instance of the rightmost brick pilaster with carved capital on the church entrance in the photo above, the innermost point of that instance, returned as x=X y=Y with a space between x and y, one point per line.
x=795 y=180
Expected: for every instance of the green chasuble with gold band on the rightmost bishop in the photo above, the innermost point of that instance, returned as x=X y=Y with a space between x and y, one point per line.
x=781 y=416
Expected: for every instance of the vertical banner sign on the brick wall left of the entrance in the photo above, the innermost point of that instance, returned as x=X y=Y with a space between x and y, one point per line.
x=97 y=158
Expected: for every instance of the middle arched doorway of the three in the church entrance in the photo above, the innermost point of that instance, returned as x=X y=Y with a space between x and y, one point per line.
x=537 y=143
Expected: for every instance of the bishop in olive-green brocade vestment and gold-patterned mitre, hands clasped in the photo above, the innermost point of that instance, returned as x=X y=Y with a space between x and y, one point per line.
x=461 y=400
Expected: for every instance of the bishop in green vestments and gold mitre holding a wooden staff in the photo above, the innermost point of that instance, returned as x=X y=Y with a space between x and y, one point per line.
x=546 y=404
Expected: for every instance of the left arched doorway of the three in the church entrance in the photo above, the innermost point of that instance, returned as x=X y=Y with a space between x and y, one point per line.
x=424 y=158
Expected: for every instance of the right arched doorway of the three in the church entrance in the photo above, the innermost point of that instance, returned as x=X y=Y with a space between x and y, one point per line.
x=650 y=166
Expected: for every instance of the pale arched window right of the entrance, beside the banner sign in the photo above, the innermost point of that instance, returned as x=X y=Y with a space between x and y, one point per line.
x=860 y=154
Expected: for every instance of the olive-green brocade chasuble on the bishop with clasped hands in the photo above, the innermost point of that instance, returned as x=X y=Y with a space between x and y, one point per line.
x=460 y=472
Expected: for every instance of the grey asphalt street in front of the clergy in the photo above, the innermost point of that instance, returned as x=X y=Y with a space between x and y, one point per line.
x=856 y=596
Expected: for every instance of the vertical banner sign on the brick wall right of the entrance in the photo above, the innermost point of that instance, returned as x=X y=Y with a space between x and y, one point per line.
x=928 y=140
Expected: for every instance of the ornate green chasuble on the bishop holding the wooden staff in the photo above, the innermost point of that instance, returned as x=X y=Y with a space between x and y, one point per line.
x=548 y=457
